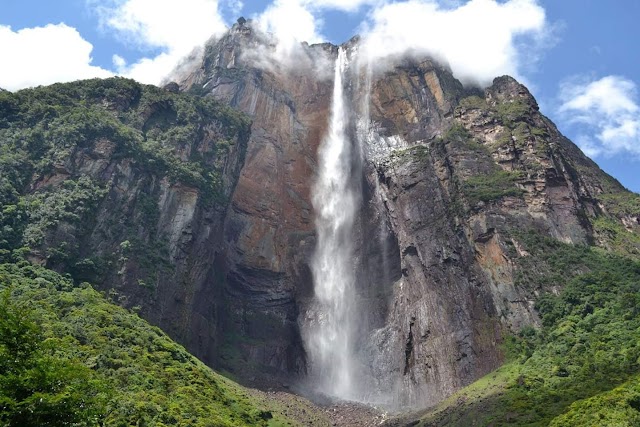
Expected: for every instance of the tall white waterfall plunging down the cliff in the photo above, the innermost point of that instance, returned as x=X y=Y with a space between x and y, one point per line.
x=330 y=336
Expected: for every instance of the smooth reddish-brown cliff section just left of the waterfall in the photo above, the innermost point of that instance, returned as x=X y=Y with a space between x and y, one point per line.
x=269 y=229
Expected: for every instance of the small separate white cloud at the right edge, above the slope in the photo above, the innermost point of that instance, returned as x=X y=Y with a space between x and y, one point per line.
x=608 y=109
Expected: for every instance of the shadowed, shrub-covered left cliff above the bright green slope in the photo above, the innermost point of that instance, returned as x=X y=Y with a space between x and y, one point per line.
x=127 y=187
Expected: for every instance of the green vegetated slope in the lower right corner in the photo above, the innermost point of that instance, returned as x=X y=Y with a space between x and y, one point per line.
x=583 y=366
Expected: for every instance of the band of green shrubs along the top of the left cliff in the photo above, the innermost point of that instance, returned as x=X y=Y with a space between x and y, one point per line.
x=40 y=129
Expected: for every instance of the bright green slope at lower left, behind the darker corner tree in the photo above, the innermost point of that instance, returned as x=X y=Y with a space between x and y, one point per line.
x=146 y=378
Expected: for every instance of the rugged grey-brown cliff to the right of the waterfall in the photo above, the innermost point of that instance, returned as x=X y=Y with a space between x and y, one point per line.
x=455 y=203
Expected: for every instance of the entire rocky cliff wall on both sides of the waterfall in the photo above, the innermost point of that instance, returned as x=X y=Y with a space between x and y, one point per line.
x=175 y=207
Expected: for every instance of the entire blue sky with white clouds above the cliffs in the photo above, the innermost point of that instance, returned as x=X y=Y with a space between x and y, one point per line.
x=578 y=57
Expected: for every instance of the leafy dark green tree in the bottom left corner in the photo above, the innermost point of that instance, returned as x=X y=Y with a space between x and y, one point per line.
x=38 y=386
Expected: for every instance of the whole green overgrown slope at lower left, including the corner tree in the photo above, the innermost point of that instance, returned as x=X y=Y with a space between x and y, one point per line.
x=70 y=357
